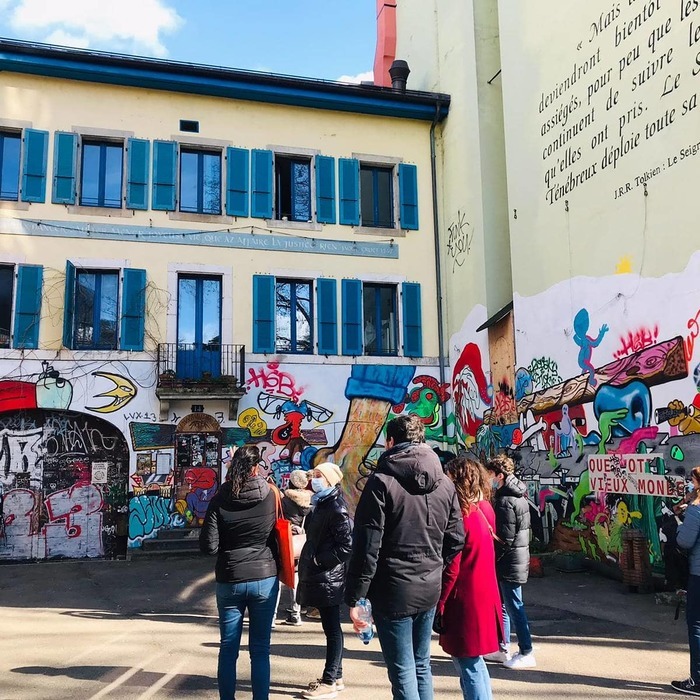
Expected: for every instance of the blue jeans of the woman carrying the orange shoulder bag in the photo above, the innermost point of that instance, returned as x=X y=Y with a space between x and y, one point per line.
x=232 y=599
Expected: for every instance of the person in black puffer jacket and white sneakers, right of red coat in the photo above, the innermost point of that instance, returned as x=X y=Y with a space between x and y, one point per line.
x=512 y=558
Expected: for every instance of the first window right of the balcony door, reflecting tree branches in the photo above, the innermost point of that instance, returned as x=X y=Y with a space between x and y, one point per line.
x=293 y=316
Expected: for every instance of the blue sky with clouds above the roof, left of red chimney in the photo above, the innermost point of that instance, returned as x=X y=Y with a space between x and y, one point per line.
x=331 y=39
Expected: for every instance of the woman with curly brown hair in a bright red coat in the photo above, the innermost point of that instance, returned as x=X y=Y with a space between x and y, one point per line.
x=469 y=609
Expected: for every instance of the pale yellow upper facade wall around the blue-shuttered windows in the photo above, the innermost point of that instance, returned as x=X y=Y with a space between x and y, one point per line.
x=60 y=105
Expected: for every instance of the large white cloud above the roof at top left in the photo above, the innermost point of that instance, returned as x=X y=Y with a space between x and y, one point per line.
x=121 y=25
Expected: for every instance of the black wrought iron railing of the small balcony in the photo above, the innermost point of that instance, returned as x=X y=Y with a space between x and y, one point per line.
x=195 y=364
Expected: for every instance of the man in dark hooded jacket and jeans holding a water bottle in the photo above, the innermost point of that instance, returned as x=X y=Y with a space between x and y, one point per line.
x=408 y=527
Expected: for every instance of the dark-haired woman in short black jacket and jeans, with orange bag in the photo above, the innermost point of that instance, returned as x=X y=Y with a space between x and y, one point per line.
x=239 y=529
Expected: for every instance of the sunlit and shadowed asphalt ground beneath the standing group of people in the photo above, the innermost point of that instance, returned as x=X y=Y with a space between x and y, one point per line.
x=148 y=629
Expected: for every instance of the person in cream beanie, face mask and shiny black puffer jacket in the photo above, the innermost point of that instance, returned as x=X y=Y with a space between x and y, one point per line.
x=322 y=568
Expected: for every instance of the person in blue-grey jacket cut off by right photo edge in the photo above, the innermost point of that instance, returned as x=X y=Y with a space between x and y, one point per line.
x=688 y=537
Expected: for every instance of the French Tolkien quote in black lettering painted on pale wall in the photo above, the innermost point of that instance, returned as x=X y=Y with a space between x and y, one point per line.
x=636 y=75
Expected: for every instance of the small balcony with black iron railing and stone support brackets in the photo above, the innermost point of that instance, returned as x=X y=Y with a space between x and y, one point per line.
x=204 y=371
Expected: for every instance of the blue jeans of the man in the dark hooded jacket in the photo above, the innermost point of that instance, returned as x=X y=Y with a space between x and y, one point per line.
x=406 y=648
